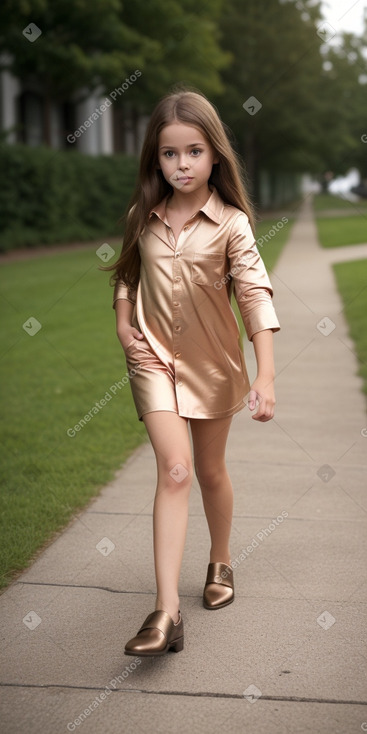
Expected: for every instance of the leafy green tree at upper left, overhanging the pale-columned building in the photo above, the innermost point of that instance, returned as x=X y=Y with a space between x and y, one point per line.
x=95 y=44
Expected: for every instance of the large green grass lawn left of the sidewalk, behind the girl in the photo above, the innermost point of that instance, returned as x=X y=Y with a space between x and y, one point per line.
x=50 y=381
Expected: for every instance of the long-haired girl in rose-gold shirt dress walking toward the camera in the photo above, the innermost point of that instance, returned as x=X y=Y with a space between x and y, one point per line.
x=188 y=242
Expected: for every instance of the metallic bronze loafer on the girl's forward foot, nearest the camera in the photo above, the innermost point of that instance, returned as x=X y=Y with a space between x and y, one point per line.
x=157 y=635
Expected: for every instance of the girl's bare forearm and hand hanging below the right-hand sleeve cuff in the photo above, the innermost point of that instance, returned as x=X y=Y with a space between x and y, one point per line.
x=262 y=389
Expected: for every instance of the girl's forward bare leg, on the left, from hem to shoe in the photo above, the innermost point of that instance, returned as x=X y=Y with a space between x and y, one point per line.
x=169 y=435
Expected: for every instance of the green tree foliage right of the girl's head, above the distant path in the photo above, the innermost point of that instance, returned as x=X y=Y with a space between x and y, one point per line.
x=313 y=104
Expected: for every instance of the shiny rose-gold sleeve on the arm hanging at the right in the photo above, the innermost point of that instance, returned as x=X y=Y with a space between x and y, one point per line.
x=252 y=287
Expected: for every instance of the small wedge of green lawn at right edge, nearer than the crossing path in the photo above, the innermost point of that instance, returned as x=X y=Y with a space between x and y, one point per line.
x=352 y=284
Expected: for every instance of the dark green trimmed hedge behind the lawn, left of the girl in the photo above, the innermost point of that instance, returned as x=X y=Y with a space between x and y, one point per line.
x=49 y=196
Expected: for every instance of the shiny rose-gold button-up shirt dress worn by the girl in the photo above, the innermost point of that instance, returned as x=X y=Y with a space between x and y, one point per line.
x=190 y=360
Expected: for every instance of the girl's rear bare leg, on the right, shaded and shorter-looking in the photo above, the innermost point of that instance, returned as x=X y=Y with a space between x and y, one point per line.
x=209 y=442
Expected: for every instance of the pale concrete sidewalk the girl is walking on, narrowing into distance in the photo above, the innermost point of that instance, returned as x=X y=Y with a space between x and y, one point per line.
x=289 y=654
